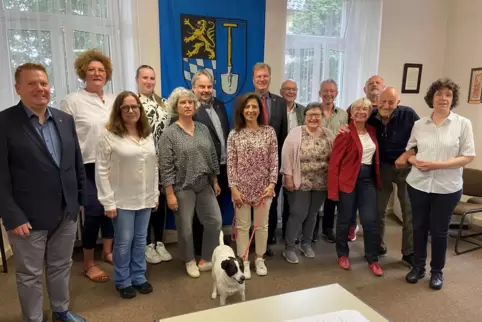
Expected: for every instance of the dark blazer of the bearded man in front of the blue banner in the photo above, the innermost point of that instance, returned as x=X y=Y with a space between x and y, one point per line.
x=203 y=117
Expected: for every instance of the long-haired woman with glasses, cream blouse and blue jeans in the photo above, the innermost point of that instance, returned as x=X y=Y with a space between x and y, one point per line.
x=127 y=183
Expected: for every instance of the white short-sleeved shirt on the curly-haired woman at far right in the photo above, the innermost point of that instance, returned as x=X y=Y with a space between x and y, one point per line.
x=450 y=140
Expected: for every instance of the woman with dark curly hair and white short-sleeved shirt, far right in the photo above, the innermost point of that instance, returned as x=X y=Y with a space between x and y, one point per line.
x=445 y=144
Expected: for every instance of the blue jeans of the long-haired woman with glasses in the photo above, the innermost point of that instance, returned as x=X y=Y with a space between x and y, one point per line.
x=129 y=259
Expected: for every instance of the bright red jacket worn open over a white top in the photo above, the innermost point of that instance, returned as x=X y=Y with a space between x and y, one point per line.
x=345 y=161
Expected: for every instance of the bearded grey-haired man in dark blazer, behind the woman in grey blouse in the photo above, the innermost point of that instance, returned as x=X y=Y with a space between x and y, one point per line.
x=211 y=113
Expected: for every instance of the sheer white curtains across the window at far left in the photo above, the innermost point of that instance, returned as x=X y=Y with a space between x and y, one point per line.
x=55 y=32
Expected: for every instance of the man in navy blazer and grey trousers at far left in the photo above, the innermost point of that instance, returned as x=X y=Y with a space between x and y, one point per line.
x=41 y=192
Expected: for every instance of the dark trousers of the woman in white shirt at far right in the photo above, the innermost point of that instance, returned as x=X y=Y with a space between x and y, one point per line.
x=431 y=212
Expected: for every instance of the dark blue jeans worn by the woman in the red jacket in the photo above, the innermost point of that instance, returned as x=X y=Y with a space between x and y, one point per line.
x=364 y=198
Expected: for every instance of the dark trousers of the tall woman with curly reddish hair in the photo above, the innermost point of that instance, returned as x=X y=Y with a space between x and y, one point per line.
x=94 y=218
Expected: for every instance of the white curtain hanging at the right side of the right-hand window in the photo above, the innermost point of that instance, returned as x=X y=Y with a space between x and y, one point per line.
x=362 y=46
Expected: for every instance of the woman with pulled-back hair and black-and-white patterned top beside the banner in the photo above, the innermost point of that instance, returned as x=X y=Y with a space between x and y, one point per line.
x=159 y=119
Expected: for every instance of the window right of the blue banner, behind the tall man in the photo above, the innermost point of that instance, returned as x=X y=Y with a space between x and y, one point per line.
x=315 y=45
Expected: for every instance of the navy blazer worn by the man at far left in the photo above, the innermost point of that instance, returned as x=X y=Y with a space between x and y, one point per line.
x=32 y=187
